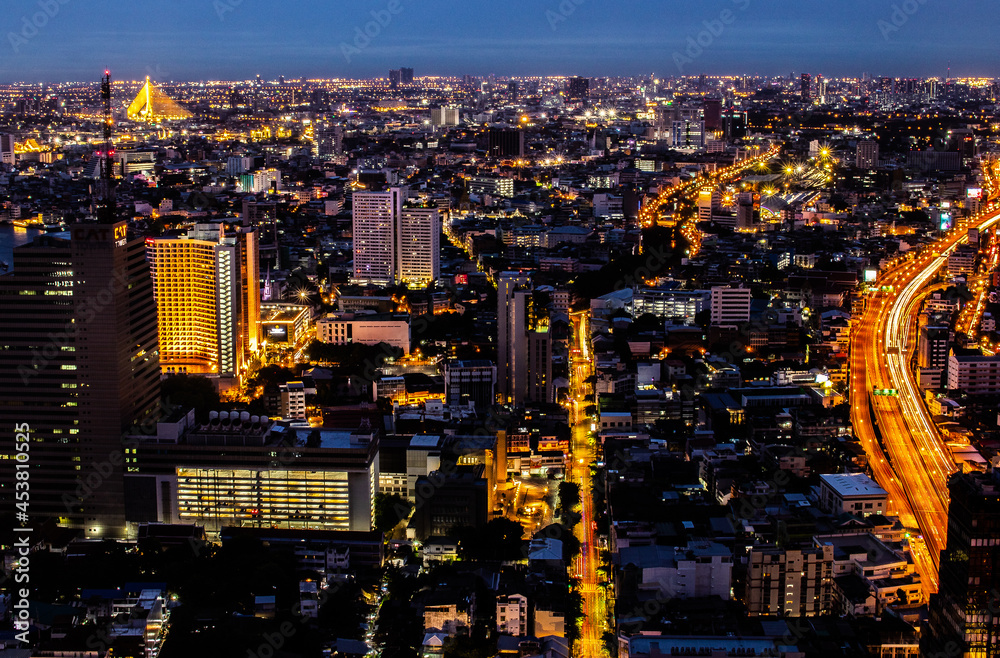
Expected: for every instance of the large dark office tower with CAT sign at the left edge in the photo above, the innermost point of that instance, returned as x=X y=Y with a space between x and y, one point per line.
x=80 y=358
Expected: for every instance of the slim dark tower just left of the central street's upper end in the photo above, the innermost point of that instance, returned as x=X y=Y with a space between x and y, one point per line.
x=524 y=345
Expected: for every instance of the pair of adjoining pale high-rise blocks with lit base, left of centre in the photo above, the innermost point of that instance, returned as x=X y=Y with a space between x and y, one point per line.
x=394 y=244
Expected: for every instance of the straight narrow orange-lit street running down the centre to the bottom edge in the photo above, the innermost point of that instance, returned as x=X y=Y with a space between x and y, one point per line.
x=595 y=612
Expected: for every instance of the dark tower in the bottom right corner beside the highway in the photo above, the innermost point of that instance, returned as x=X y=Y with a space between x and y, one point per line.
x=964 y=614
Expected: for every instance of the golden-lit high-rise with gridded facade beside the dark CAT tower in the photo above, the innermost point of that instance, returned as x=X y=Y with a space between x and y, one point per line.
x=207 y=287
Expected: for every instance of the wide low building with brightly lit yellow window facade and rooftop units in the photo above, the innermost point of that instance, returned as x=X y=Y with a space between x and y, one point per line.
x=248 y=471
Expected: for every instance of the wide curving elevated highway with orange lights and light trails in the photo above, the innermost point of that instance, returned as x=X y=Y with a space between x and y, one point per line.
x=906 y=453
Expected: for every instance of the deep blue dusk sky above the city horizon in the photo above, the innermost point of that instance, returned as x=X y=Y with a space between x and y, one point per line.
x=238 y=39
